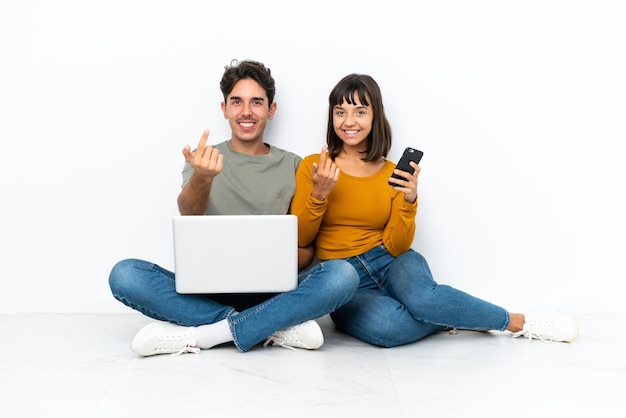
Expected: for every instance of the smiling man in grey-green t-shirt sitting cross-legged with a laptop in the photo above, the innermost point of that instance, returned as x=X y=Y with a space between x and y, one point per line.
x=226 y=179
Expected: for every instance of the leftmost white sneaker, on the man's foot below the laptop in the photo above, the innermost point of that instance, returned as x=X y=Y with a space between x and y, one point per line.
x=164 y=338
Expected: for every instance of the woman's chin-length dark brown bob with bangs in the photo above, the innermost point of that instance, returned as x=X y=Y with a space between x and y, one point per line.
x=365 y=88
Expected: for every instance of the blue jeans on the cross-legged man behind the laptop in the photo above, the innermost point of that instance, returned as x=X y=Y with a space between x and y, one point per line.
x=151 y=290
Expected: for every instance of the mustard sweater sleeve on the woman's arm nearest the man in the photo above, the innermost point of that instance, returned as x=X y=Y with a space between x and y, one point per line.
x=310 y=211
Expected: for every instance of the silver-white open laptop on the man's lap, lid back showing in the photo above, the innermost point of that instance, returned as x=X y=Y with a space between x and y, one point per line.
x=236 y=253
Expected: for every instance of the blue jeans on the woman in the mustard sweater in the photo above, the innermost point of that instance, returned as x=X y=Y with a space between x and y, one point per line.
x=399 y=302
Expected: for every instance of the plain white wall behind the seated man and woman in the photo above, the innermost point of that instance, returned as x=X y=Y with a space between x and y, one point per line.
x=518 y=106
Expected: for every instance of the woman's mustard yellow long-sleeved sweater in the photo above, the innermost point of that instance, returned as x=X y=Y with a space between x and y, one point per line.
x=359 y=214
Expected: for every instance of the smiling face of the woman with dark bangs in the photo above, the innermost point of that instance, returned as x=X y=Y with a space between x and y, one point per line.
x=353 y=123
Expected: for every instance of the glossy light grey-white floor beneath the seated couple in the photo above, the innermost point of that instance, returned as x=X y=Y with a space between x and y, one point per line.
x=81 y=366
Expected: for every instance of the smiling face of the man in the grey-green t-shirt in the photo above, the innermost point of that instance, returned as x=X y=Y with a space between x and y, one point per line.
x=247 y=111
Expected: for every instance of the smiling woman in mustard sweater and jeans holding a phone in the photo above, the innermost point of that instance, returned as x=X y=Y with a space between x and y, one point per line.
x=346 y=206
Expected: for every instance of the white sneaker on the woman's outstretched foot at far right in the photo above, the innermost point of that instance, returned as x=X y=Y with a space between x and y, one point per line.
x=549 y=326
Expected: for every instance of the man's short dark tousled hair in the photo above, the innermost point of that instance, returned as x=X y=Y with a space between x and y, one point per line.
x=240 y=70
